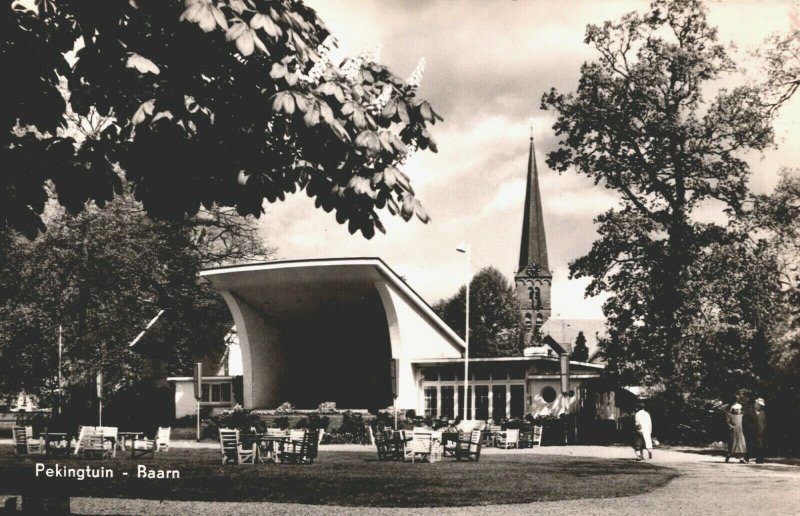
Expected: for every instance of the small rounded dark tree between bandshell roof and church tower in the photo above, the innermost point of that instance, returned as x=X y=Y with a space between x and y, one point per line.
x=495 y=325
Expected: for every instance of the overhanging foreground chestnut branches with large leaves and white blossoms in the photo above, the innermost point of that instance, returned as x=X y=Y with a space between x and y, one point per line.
x=210 y=102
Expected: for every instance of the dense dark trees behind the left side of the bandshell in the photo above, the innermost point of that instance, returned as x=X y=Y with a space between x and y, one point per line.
x=101 y=276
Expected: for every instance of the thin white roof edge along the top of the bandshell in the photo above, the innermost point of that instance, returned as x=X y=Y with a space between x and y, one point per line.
x=393 y=278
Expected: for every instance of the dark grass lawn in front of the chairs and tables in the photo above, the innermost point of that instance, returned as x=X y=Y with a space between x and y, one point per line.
x=349 y=479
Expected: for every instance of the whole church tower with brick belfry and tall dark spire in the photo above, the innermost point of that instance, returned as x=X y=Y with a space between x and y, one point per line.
x=533 y=277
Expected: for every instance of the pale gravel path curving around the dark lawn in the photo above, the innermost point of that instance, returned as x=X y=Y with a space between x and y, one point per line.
x=706 y=486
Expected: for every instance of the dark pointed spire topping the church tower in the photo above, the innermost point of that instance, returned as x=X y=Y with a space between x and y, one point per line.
x=533 y=246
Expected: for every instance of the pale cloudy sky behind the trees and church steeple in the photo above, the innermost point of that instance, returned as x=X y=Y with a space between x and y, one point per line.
x=488 y=63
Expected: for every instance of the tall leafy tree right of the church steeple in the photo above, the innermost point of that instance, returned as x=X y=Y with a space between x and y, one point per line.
x=639 y=123
